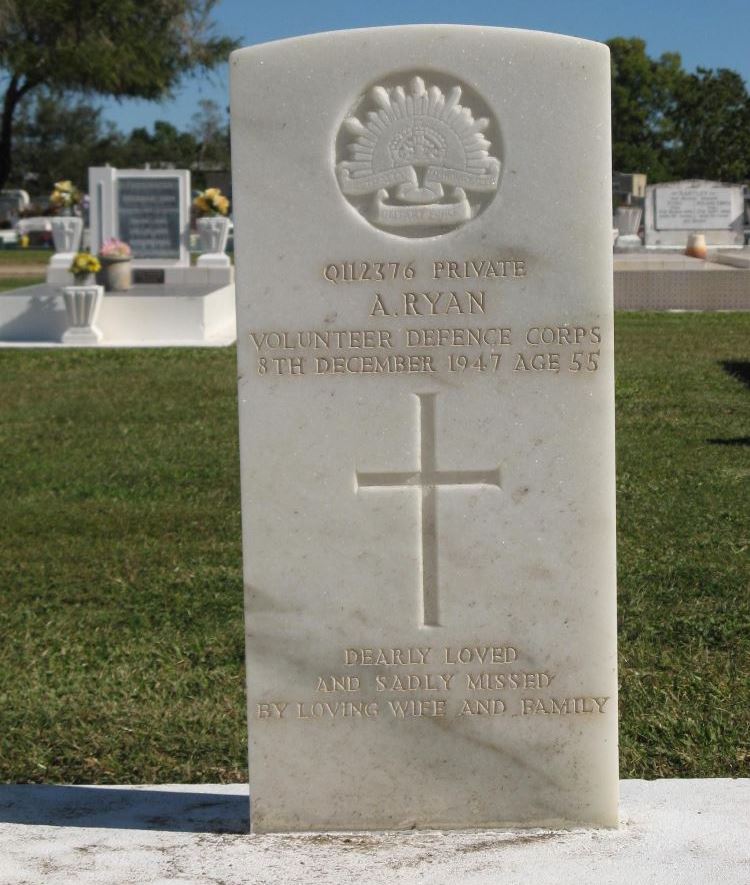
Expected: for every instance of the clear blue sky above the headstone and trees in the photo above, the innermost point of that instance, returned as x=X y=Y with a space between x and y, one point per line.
x=713 y=34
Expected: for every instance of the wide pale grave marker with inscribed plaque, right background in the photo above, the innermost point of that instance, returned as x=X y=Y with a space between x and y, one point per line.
x=675 y=210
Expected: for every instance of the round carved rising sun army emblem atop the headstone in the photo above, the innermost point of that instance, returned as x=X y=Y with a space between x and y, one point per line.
x=417 y=162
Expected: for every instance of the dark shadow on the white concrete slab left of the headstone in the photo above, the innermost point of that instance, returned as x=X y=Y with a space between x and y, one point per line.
x=169 y=809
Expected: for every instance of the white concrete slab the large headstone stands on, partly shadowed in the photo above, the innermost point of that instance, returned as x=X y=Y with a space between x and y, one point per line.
x=671 y=831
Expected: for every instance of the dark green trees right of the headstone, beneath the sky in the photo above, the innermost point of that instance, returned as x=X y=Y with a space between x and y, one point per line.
x=671 y=124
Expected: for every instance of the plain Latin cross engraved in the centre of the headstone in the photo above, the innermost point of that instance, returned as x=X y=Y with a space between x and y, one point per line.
x=427 y=478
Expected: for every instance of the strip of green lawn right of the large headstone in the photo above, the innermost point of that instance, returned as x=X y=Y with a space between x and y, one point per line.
x=683 y=456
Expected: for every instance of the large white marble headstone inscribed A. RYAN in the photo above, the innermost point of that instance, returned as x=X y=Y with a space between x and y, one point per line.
x=429 y=548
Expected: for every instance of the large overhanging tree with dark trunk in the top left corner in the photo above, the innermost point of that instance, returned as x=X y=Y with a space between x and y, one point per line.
x=101 y=47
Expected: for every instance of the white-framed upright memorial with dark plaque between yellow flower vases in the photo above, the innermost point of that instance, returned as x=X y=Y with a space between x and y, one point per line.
x=148 y=208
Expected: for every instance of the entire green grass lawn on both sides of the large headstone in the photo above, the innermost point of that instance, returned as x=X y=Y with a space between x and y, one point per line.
x=121 y=658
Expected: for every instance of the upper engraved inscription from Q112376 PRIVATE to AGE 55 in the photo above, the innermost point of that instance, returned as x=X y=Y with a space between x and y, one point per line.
x=423 y=319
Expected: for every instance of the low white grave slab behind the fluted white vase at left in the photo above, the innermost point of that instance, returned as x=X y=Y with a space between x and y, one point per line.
x=144 y=316
